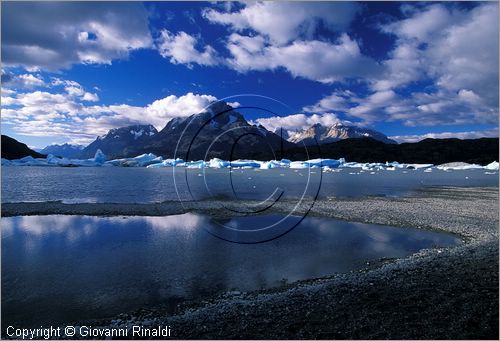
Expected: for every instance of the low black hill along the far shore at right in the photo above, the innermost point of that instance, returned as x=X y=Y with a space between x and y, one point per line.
x=436 y=151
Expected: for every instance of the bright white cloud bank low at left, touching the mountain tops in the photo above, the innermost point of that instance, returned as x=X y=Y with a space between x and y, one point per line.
x=69 y=115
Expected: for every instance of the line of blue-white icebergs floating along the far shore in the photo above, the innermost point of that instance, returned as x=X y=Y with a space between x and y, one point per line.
x=150 y=160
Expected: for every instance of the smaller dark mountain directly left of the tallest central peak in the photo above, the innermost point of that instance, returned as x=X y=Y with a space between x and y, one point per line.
x=120 y=142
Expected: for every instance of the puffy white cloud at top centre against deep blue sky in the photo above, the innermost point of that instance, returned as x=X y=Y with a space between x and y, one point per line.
x=281 y=36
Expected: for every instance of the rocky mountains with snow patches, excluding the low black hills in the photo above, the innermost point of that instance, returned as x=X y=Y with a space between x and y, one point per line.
x=219 y=127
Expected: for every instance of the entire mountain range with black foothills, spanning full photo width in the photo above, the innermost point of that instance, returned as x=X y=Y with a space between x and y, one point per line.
x=224 y=133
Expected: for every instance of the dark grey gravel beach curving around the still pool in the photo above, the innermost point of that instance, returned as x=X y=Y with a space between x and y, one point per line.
x=434 y=294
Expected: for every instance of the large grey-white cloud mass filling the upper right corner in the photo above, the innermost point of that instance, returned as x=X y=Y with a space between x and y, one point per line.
x=453 y=50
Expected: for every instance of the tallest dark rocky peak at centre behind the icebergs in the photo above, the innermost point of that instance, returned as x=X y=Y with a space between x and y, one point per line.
x=219 y=132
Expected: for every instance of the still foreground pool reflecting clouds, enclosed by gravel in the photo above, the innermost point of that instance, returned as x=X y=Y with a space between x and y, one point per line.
x=58 y=269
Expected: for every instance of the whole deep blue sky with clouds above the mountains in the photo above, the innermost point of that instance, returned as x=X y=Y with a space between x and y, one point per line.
x=411 y=70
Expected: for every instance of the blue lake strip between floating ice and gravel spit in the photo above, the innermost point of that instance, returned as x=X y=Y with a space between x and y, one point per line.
x=145 y=185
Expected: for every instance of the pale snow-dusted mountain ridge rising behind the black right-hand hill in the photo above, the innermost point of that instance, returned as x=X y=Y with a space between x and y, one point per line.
x=339 y=131
